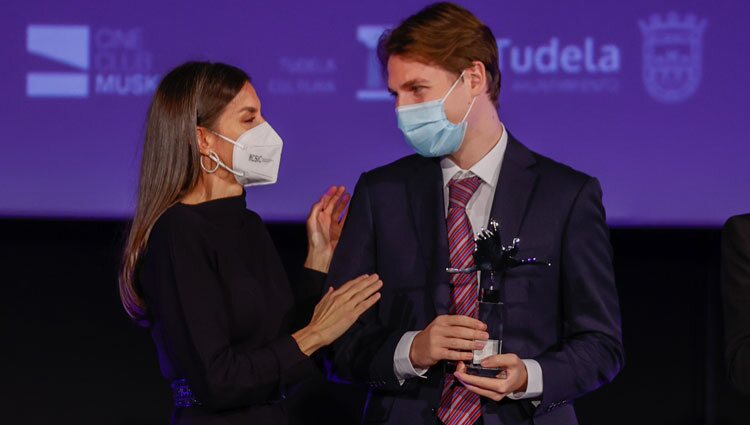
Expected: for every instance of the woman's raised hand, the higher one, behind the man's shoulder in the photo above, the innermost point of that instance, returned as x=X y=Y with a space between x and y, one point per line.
x=324 y=226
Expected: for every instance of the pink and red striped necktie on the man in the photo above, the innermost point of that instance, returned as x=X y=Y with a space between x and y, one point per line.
x=459 y=406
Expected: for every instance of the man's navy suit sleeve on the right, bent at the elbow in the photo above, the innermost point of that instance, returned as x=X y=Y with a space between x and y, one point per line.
x=591 y=352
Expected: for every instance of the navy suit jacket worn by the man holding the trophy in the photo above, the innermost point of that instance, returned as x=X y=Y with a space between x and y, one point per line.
x=565 y=316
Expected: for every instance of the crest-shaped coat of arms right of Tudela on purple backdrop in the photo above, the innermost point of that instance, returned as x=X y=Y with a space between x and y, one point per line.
x=672 y=56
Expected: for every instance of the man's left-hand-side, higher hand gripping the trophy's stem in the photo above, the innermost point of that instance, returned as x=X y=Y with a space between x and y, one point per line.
x=448 y=337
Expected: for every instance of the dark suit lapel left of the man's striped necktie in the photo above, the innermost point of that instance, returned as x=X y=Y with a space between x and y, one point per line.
x=425 y=192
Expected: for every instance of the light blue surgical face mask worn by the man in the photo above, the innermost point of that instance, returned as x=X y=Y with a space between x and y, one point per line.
x=426 y=128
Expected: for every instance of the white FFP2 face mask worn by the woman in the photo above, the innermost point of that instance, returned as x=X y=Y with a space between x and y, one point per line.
x=255 y=157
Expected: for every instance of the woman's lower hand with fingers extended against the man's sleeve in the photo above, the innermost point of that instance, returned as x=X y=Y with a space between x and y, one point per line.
x=337 y=312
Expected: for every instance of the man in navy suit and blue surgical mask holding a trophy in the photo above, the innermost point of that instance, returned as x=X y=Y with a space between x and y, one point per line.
x=412 y=219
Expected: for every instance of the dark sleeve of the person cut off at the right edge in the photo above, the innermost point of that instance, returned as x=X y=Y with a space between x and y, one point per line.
x=735 y=285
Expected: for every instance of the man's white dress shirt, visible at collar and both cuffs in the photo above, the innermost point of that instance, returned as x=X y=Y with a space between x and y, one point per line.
x=478 y=209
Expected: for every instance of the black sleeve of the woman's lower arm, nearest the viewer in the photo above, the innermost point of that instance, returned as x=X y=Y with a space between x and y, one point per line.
x=185 y=296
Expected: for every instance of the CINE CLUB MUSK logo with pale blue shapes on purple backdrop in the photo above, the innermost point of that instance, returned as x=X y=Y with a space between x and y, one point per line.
x=103 y=61
